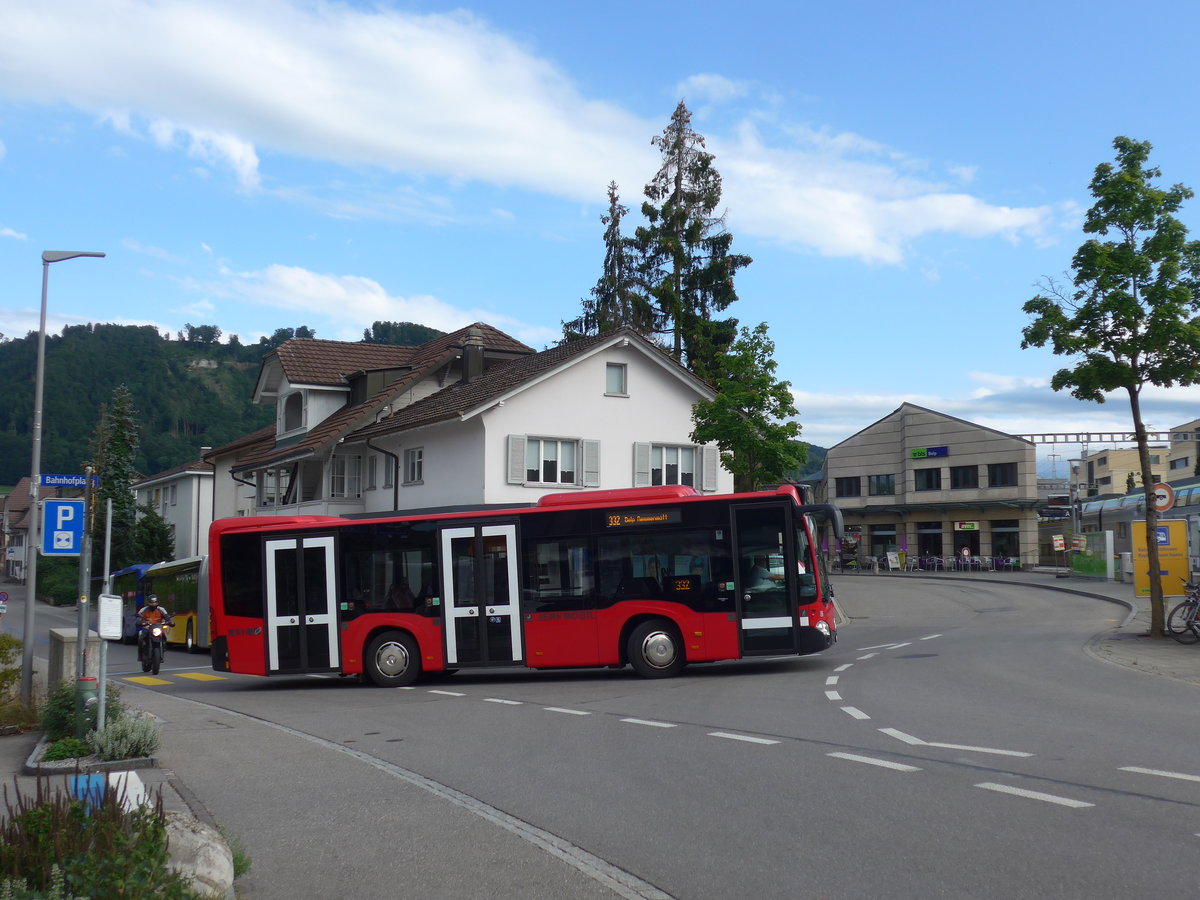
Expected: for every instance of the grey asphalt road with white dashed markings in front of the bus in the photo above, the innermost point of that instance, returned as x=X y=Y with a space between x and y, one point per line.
x=958 y=742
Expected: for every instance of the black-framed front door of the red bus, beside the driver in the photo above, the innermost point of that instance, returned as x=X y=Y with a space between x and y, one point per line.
x=766 y=592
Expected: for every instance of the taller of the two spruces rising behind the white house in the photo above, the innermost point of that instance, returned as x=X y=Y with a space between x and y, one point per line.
x=686 y=261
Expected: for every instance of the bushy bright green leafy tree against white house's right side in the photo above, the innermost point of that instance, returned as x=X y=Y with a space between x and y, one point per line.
x=751 y=419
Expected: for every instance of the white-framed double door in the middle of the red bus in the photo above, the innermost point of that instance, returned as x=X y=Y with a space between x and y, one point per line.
x=482 y=609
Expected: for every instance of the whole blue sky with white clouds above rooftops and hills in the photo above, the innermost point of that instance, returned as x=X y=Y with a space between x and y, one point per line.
x=904 y=176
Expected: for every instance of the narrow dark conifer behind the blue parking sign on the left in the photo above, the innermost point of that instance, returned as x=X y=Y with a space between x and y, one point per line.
x=115 y=449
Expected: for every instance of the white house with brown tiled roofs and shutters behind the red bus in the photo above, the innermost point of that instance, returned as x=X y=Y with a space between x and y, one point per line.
x=471 y=419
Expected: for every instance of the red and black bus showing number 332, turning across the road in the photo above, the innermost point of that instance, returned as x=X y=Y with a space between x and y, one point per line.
x=657 y=578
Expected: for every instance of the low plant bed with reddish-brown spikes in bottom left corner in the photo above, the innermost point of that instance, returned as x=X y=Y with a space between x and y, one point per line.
x=101 y=850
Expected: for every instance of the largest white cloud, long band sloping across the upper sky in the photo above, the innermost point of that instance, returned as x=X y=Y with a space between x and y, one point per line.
x=452 y=98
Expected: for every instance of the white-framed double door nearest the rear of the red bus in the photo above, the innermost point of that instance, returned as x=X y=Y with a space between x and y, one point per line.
x=302 y=619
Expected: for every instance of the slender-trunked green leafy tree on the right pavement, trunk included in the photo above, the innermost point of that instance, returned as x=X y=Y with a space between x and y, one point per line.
x=1132 y=316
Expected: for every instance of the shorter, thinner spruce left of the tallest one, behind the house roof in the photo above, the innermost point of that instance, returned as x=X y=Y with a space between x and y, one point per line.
x=616 y=299
